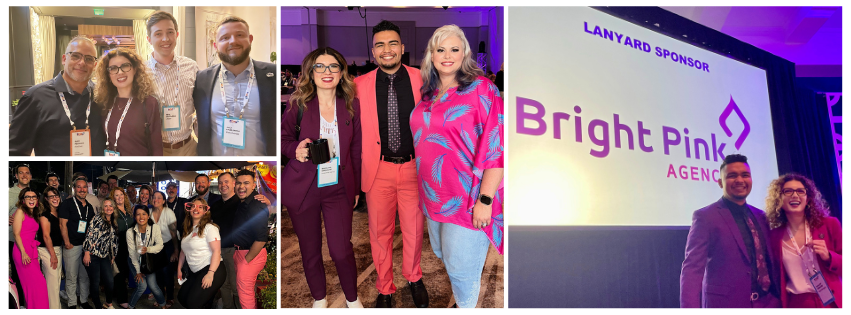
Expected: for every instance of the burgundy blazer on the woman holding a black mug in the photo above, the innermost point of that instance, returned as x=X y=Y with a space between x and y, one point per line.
x=300 y=176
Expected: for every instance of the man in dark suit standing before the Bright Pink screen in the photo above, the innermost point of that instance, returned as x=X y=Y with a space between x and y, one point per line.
x=728 y=263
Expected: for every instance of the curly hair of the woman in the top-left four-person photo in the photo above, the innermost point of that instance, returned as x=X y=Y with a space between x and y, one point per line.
x=105 y=91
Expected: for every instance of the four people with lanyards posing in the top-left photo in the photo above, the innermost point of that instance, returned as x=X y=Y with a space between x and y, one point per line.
x=139 y=108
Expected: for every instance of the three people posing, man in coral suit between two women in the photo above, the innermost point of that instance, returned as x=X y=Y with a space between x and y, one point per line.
x=426 y=144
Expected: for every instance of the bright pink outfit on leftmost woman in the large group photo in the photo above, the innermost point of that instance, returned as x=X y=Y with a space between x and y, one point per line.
x=32 y=281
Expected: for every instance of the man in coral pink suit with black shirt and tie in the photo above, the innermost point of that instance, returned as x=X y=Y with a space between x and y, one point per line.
x=389 y=174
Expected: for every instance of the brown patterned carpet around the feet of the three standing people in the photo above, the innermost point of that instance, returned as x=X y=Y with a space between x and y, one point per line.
x=295 y=293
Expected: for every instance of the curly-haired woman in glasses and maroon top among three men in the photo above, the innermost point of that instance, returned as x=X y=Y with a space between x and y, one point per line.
x=125 y=88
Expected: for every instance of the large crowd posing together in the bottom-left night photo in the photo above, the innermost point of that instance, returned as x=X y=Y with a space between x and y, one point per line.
x=212 y=242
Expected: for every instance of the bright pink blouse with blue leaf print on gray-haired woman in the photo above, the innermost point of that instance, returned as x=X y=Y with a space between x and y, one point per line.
x=456 y=138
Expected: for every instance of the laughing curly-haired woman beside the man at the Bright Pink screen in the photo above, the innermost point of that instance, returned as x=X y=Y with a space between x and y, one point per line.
x=806 y=240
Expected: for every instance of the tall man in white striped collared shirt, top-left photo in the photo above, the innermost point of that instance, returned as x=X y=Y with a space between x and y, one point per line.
x=175 y=79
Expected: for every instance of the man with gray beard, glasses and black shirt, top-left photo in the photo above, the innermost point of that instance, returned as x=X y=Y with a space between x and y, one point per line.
x=43 y=121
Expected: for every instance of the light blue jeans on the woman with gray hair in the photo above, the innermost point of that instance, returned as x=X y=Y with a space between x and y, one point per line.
x=463 y=252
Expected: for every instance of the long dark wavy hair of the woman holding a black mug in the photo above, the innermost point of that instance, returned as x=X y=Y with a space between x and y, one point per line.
x=306 y=90
